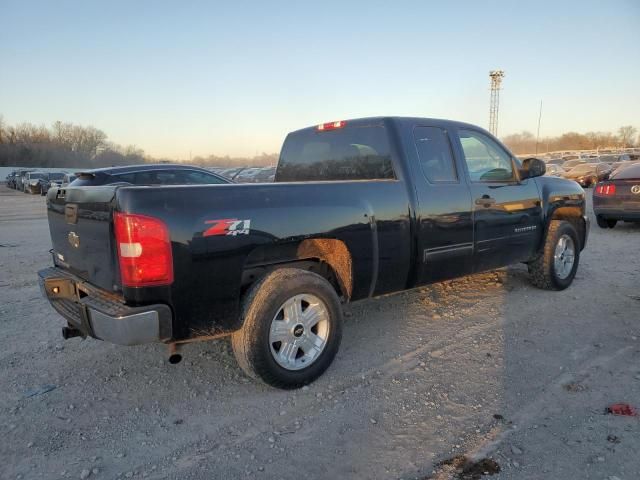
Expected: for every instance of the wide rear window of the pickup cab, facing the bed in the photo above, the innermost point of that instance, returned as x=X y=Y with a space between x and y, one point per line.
x=356 y=151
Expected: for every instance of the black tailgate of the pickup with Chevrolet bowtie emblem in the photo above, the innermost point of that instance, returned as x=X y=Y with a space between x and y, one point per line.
x=80 y=223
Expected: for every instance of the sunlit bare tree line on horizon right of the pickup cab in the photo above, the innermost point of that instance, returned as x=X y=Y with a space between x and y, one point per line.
x=525 y=142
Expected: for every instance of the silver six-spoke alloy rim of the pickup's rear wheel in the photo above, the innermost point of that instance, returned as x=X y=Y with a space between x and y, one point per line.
x=299 y=332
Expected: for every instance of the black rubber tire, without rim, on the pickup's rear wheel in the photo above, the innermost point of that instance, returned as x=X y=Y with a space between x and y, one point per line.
x=261 y=305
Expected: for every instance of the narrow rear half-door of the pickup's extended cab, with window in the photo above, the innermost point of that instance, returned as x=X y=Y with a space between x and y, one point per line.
x=445 y=228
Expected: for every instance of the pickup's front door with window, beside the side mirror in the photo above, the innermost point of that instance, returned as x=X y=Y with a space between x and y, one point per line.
x=507 y=211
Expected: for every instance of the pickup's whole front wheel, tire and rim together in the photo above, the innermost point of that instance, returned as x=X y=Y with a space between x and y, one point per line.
x=554 y=268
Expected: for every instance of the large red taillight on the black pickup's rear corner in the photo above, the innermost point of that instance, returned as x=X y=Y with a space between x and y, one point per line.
x=144 y=250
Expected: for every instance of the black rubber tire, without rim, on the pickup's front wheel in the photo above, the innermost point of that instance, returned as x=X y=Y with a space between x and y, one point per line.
x=542 y=268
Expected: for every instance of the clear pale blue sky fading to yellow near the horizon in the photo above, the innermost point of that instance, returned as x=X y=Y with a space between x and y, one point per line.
x=181 y=79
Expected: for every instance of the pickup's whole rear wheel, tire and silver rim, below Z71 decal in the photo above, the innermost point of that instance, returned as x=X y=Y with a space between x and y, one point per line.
x=292 y=328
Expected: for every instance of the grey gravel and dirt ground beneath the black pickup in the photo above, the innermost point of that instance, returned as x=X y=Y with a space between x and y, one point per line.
x=484 y=366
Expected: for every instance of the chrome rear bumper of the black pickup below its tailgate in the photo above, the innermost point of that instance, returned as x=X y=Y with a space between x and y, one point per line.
x=102 y=315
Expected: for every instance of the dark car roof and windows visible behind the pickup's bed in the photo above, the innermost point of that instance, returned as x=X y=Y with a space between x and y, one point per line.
x=158 y=174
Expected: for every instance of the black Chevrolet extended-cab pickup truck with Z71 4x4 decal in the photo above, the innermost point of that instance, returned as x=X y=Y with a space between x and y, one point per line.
x=358 y=208
